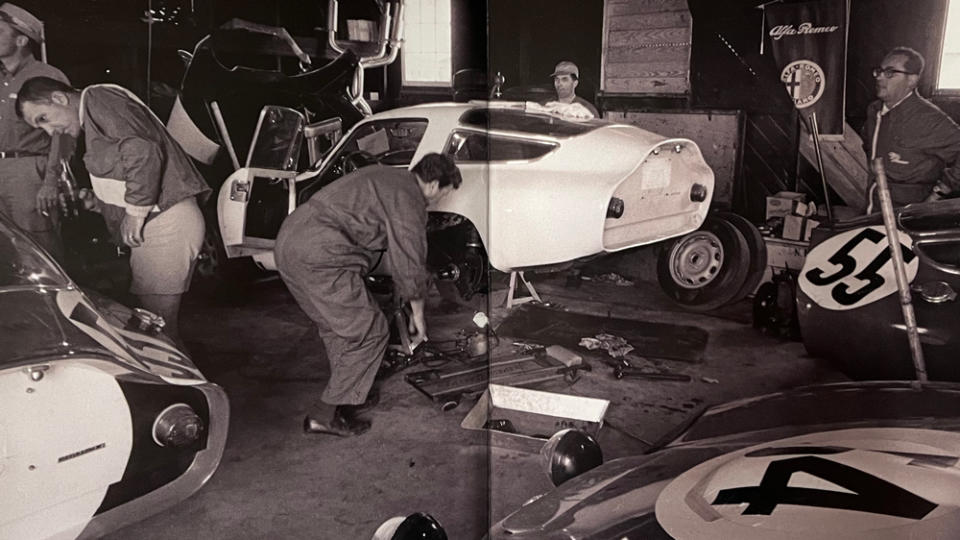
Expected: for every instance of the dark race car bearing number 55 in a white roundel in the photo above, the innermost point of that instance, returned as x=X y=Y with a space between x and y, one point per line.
x=847 y=298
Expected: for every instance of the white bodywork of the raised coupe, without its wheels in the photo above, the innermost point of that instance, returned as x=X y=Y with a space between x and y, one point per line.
x=537 y=187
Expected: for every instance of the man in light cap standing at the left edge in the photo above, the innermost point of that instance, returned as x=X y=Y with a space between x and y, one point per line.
x=29 y=163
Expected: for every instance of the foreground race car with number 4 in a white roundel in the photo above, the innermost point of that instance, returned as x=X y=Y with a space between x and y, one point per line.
x=871 y=460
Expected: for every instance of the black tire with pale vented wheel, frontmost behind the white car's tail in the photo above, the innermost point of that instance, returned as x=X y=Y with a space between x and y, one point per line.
x=705 y=269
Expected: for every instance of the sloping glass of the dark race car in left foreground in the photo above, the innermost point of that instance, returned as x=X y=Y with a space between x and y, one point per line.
x=22 y=263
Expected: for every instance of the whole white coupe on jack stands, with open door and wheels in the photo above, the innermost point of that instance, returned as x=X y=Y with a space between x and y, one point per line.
x=540 y=191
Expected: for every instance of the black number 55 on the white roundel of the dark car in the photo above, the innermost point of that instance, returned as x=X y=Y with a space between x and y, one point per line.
x=848 y=264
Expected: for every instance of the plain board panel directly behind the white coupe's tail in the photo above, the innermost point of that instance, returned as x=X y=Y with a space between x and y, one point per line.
x=716 y=133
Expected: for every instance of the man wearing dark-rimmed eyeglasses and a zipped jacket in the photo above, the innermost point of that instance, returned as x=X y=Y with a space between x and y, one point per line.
x=918 y=142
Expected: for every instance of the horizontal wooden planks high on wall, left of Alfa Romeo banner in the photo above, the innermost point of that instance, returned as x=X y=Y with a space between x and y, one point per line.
x=646 y=47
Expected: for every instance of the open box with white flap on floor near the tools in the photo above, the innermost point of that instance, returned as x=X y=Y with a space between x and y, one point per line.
x=534 y=415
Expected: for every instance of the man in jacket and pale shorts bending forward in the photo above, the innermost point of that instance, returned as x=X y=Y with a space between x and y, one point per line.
x=143 y=181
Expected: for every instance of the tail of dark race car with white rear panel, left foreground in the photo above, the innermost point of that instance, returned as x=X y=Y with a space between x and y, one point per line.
x=104 y=421
